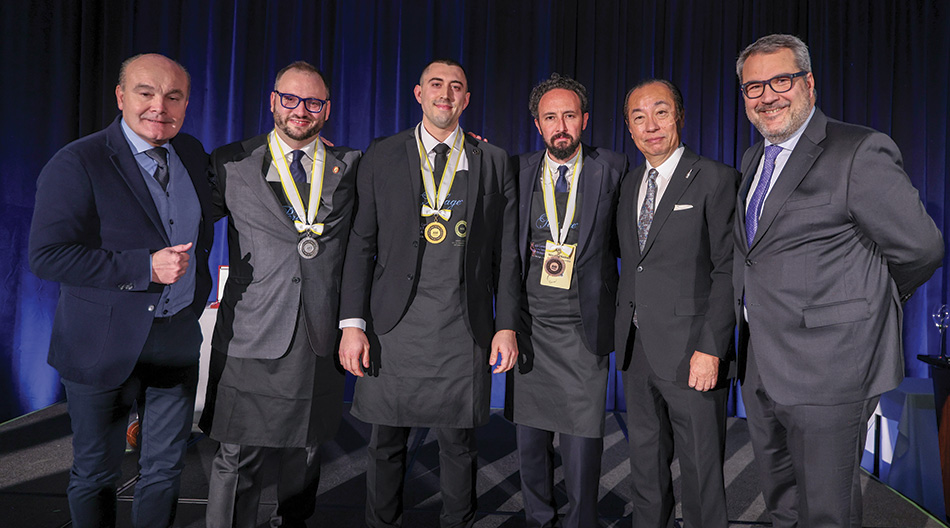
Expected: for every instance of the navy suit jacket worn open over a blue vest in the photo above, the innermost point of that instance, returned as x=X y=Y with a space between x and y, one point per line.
x=94 y=229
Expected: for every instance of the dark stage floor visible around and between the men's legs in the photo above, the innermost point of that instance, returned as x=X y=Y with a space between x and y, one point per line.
x=35 y=455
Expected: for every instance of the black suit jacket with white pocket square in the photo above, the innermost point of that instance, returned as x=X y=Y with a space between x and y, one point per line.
x=680 y=285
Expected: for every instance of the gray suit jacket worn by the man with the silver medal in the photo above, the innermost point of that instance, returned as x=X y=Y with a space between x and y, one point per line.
x=268 y=282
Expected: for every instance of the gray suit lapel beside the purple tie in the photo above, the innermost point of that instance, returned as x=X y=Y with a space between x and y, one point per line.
x=798 y=164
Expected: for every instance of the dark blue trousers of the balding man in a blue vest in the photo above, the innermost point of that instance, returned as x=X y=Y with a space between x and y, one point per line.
x=163 y=382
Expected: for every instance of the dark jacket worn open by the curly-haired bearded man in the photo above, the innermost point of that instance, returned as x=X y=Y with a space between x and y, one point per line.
x=597 y=252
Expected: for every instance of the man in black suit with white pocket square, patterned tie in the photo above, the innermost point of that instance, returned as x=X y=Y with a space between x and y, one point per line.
x=674 y=312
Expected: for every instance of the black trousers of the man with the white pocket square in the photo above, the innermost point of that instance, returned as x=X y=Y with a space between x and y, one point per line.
x=662 y=414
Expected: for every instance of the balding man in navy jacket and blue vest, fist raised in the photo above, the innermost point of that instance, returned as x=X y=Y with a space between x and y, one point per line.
x=121 y=223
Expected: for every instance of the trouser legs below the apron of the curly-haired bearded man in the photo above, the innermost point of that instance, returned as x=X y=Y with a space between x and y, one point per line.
x=580 y=457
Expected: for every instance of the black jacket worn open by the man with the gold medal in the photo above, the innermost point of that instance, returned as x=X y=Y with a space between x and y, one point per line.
x=384 y=249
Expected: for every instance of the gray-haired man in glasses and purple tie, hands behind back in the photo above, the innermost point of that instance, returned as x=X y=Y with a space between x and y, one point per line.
x=831 y=238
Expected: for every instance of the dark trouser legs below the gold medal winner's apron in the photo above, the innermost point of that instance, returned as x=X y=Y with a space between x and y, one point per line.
x=386 y=475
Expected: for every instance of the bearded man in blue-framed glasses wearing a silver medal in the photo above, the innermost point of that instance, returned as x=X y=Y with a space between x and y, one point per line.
x=275 y=390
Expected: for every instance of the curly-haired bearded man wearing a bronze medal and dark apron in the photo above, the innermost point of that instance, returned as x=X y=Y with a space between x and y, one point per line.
x=568 y=243
